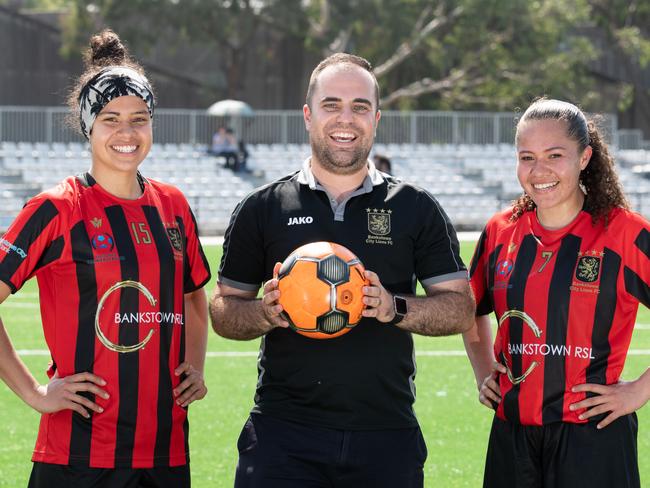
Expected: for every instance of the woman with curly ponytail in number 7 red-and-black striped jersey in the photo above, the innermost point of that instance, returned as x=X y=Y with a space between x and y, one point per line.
x=564 y=271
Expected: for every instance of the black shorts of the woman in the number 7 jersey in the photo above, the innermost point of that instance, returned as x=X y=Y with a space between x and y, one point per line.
x=563 y=455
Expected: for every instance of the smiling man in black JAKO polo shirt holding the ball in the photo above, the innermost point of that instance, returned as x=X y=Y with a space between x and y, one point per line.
x=339 y=412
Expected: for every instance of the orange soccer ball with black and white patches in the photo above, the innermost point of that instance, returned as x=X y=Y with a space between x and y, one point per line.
x=321 y=290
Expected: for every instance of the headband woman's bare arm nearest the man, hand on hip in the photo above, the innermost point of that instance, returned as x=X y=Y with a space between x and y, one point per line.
x=196 y=338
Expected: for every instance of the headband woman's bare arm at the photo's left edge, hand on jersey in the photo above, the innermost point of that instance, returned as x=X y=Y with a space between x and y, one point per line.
x=59 y=393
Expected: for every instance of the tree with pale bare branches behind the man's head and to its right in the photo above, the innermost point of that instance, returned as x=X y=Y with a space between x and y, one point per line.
x=488 y=54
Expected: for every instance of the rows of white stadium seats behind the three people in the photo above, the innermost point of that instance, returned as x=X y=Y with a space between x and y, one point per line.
x=471 y=182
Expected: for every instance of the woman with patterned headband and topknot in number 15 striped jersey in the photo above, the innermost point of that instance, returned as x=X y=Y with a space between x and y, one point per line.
x=119 y=265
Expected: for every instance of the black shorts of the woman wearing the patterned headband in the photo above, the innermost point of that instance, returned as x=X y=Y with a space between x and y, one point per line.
x=46 y=475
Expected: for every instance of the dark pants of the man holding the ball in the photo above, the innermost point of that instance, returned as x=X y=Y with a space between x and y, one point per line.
x=276 y=453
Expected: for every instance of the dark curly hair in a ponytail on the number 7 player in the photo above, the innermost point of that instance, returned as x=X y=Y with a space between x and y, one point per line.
x=599 y=178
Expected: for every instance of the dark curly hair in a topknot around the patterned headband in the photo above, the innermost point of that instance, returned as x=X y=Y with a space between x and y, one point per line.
x=106 y=49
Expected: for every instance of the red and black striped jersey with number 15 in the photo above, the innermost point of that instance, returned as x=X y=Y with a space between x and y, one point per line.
x=112 y=274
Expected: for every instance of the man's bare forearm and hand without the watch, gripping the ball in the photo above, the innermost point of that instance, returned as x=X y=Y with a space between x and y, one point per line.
x=238 y=314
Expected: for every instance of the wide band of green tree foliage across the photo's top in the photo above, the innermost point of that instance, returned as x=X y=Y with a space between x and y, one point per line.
x=428 y=54
